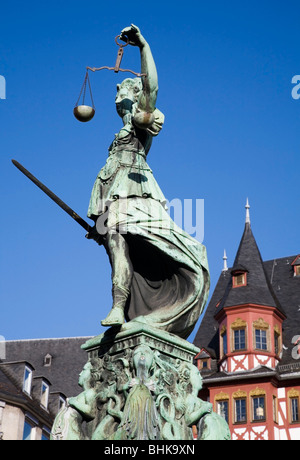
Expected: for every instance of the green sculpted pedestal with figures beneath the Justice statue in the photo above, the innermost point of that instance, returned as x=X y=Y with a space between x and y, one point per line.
x=139 y=383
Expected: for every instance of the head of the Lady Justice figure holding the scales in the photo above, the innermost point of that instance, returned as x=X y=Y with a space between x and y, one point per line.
x=127 y=95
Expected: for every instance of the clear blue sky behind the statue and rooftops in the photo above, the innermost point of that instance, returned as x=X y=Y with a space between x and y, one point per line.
x=231 y=132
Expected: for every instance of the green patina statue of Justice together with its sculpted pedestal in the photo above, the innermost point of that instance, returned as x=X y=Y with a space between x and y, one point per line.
x=139 y=382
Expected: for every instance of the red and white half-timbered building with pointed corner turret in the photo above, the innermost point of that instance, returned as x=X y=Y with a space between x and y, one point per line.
x=250 y=345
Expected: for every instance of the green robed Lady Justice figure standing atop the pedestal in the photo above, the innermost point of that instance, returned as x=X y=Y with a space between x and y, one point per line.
x=159 y=273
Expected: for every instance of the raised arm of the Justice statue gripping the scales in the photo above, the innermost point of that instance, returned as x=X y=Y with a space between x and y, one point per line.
x=147 y=99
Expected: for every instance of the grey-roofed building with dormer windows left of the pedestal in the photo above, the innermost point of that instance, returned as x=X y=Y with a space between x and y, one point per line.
x=36 y=377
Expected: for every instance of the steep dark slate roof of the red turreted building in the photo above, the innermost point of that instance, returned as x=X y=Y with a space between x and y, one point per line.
x=270 y=283
